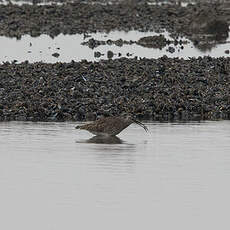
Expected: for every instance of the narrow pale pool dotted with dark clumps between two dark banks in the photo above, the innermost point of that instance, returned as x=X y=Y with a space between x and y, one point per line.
x=69 y=47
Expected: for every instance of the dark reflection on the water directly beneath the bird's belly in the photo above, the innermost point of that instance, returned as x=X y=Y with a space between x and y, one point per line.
x=103 y=140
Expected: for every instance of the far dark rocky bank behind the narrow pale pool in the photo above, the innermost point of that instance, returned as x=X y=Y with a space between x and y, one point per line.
x=82 y=17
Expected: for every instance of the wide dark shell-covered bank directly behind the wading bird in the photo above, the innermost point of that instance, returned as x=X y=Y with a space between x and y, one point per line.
x=160 y=89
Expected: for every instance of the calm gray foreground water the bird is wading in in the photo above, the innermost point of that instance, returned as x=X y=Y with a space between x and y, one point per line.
x=53 y=177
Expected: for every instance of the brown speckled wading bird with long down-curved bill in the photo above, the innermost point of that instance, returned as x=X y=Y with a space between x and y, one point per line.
x=110 y=126
